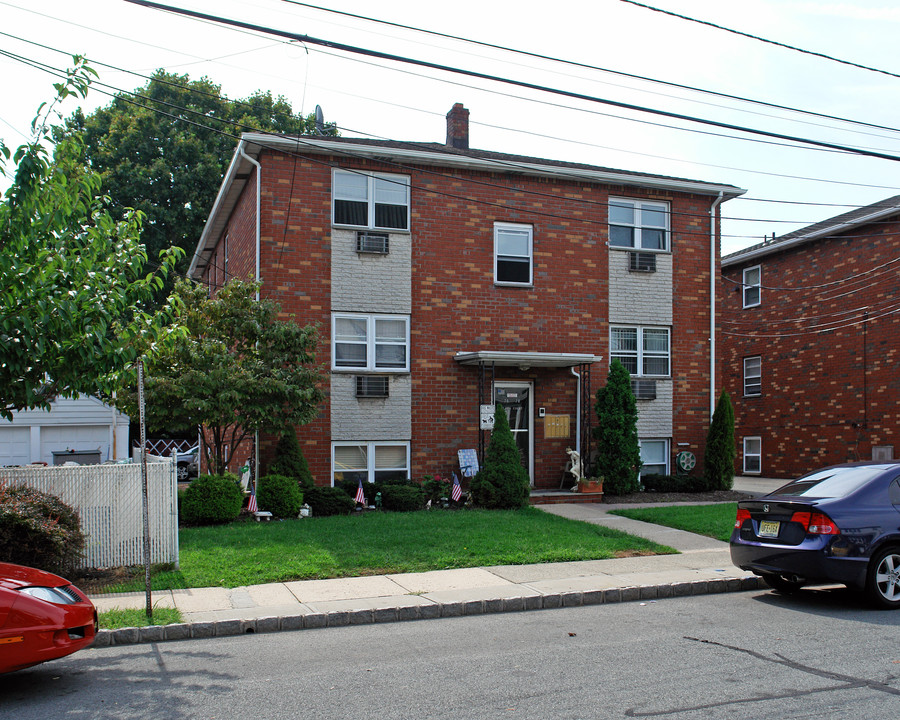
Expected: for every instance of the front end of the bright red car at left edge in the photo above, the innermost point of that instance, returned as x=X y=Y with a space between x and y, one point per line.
x=42 y=617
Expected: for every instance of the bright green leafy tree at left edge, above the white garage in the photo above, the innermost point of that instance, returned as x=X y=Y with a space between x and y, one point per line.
x=75 y=295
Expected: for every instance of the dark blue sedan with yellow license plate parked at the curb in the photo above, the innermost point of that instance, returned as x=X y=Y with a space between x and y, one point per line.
x=837 y=525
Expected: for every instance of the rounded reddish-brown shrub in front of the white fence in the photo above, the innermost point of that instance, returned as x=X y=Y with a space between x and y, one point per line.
x=39 y=530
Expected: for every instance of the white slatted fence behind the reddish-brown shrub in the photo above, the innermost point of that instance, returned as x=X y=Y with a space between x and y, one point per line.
x=108 y=499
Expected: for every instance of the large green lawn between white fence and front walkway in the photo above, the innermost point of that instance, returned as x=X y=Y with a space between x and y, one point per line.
x=377 y=543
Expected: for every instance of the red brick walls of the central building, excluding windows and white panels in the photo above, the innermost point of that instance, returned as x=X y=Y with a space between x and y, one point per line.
x=455 y=304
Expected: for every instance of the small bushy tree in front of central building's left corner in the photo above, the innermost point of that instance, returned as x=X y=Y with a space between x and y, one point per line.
x=236 y=369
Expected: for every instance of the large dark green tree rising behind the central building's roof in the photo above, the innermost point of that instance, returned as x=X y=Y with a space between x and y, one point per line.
x=164 y=148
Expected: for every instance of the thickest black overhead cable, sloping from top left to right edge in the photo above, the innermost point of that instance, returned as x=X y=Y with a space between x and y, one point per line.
x=508 y=81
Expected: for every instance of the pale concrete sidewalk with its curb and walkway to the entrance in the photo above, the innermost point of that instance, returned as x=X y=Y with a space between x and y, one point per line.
x=702 y=566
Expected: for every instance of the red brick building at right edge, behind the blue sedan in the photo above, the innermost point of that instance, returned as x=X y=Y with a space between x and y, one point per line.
x=811 y=344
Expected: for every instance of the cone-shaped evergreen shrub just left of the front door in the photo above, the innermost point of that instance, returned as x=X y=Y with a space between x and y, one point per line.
x=502 y=483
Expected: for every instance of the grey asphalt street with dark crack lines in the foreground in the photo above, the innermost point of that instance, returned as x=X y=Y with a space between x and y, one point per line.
x=819 y=654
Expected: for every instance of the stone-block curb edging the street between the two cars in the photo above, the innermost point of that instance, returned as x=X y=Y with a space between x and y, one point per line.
x=344 y=618
